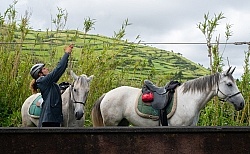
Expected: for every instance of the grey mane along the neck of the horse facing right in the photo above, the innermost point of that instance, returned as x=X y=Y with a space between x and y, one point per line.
x=201 y=84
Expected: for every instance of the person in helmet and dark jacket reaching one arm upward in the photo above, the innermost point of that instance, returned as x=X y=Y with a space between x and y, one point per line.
x=46 y=82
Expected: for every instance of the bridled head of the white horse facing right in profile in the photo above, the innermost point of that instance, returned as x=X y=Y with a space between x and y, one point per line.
x=227 y=90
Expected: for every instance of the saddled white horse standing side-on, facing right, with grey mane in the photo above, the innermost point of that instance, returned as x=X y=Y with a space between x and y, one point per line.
x=118 y=106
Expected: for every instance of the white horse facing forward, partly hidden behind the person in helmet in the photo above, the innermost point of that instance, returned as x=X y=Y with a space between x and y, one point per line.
x=73 y=101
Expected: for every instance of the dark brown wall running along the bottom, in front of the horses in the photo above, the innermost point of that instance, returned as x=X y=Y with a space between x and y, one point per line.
x=129 y=140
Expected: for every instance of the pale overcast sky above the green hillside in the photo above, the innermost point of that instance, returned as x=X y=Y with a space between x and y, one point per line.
x=168 y=21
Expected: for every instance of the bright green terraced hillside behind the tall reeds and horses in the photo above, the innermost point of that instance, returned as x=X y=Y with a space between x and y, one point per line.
x=161 y=62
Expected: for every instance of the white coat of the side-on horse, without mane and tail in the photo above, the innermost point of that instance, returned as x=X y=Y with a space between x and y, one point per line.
x=120 y=103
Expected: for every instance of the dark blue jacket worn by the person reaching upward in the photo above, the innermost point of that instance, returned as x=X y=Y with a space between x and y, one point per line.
x=52 y=105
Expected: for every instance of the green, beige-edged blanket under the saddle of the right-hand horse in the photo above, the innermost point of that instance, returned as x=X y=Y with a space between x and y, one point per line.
x=145 y=110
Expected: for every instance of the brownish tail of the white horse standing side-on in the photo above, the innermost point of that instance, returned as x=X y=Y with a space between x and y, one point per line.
x=96 y=115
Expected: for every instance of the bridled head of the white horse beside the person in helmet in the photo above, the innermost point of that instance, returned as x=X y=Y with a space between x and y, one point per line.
x=79 y=92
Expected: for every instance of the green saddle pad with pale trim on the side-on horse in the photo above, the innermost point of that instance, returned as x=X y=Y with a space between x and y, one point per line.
x=147 y=111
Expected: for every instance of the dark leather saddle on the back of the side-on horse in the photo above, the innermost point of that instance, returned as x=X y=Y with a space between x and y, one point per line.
x=162 y=96
